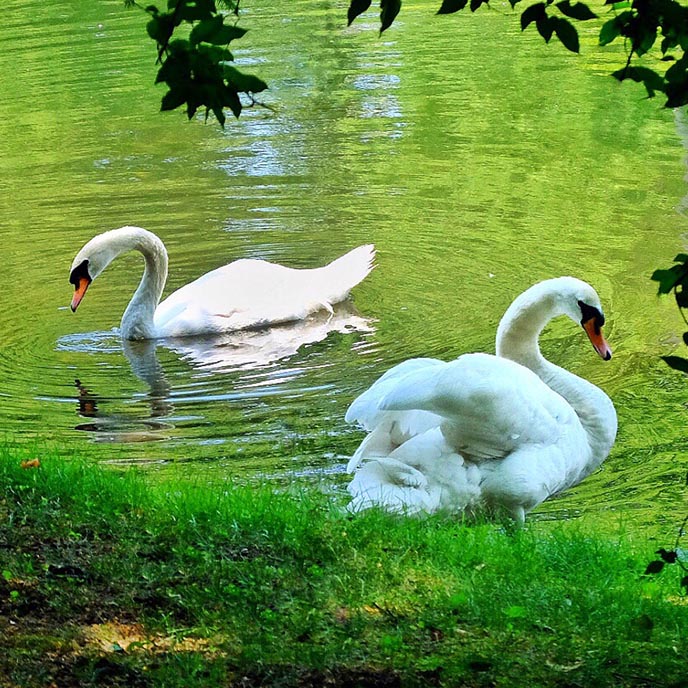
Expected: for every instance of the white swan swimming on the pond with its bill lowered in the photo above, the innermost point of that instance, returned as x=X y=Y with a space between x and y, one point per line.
x=242 y=295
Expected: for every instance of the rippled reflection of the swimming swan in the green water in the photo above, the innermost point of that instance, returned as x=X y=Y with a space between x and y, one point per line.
x=236 y=351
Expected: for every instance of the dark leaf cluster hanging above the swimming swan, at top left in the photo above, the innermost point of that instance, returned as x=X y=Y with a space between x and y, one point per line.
x=196 y=68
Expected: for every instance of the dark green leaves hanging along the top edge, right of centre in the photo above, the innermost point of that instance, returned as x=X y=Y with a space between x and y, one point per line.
x=638 y=23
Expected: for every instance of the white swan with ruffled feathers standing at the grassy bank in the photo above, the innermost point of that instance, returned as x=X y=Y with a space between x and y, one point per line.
x=486 y=433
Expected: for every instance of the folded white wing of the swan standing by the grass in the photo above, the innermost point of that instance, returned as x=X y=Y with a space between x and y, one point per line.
x=489 y=406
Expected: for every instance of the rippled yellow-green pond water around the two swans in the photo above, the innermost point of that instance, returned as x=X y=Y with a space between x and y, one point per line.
x=476 y=168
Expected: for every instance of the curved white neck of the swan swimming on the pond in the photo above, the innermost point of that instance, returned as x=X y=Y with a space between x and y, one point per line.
x=137 y=321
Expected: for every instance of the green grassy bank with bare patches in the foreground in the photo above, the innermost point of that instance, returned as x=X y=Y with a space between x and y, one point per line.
x=108 y=580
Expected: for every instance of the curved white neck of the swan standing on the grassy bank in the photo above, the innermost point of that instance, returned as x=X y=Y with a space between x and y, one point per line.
x=517 y=339
